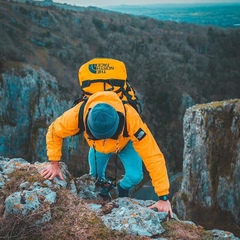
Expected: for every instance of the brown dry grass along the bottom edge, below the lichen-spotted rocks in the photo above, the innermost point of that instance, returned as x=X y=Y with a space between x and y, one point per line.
x=71 y=219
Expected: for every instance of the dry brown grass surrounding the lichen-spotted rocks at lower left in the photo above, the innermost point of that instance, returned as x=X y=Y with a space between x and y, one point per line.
x=71 y=216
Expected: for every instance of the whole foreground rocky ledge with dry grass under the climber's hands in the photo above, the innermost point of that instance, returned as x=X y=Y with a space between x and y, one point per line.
x=72 y=209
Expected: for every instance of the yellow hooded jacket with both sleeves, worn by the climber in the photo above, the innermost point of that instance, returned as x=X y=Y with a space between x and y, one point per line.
x=138 y=132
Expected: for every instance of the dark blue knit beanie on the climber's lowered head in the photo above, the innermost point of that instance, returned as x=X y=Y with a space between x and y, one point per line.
x=103 y=121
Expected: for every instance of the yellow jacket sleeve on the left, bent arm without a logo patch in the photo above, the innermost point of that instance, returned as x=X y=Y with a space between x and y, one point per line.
x=64 y=126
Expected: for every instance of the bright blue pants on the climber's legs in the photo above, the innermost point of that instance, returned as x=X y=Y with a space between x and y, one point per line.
x=130 y=159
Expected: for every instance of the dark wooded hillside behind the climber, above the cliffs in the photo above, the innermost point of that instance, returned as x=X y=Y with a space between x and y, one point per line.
x=171 y=65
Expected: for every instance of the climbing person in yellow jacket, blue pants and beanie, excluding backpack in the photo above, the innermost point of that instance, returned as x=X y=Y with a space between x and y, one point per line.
x=111 y=127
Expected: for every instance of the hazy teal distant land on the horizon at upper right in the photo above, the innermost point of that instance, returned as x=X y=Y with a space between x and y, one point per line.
x=222 y=14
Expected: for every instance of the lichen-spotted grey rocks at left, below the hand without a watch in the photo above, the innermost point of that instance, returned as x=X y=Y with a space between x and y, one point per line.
x=34 y=194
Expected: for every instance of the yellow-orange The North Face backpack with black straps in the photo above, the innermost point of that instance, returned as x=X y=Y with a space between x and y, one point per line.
x=105 y=74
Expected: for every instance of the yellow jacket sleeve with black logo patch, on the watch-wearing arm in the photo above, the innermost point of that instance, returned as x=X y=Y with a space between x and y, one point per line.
x=146 y=146
